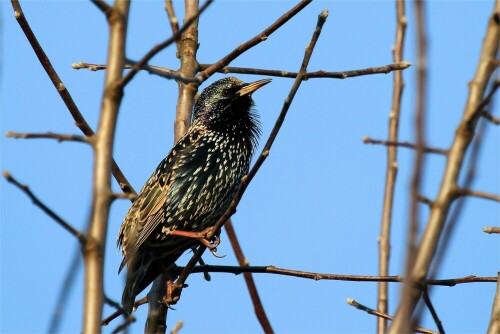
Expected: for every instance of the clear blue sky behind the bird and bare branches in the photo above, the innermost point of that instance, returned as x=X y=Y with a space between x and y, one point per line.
x=315 y=205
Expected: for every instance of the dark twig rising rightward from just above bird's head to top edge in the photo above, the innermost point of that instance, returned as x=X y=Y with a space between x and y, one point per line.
x=206 y=73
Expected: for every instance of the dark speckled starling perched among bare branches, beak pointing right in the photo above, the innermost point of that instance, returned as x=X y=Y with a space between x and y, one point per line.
x=193 y=186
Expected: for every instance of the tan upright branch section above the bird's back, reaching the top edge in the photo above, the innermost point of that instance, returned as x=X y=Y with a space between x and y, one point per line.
x=188 y=46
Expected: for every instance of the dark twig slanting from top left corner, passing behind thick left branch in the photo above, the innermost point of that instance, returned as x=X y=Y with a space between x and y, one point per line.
x=80 y=121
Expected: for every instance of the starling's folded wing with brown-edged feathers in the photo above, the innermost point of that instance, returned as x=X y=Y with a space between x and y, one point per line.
x=149 y=210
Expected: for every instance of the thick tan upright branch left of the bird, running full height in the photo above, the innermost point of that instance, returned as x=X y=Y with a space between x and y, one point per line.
x=102 y=194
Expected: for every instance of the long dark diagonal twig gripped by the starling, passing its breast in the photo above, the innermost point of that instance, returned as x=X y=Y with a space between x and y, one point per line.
x=260 y=160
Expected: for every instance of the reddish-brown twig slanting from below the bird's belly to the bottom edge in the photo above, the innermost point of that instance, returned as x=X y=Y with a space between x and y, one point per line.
x=252 y=288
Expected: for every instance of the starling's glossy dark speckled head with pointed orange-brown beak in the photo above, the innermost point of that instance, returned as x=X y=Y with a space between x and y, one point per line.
x=227 y=104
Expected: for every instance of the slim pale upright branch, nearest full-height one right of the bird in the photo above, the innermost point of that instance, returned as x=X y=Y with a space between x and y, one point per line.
x=392 y=168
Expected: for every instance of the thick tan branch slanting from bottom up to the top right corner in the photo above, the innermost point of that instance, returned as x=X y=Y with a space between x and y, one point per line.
x=449 y=186
